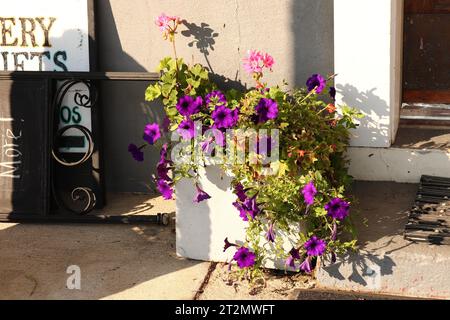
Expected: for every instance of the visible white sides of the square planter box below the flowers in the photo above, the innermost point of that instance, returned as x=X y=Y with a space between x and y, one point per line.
x=201 y=228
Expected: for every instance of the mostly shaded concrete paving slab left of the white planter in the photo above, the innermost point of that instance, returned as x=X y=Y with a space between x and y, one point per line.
x=116 y=261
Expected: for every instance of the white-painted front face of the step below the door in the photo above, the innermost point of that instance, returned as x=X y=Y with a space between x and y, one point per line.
x=399 y=165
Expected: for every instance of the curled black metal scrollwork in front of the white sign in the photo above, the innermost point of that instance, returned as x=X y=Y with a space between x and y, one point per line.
x=82 y=199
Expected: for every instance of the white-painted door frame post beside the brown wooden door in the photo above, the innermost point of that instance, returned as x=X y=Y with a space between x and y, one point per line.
x=368 y=42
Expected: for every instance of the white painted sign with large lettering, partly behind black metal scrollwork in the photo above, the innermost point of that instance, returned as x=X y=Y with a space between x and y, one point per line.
x=67 y=47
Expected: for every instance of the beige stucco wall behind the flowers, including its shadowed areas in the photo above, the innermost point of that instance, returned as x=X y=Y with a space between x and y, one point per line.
x=298 y=33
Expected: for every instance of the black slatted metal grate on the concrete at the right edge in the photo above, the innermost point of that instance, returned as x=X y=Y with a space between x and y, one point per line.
x=429 y=219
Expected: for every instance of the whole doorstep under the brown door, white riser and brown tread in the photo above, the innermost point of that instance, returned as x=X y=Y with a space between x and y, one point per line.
x=417 y=151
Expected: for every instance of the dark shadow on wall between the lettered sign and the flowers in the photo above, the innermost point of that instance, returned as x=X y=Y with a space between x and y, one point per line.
x=125 y=112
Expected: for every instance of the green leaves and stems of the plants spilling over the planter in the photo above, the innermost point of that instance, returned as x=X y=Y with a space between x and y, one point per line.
x=312 y=144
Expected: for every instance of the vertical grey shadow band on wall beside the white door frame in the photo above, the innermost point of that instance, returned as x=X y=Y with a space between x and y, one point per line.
x=313 y=33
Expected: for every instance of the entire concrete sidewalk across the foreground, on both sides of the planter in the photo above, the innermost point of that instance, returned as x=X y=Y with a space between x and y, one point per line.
x=139 y=262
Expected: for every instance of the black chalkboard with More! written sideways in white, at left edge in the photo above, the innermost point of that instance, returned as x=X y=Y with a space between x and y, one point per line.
x=25 y=152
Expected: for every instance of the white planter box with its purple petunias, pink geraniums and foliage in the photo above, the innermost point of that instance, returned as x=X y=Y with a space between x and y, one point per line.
x=259 y=175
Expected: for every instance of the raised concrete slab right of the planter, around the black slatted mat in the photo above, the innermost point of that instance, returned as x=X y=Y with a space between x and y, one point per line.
x=387 y=263
